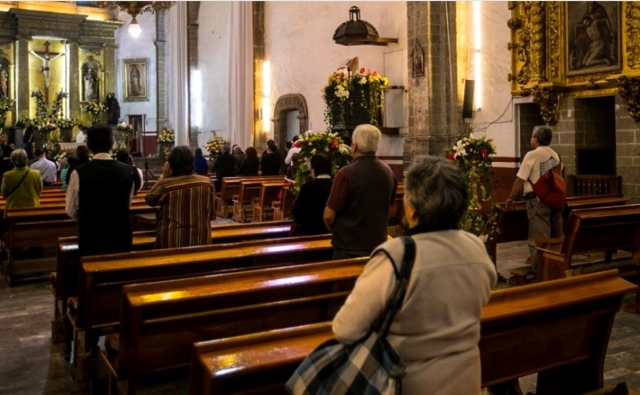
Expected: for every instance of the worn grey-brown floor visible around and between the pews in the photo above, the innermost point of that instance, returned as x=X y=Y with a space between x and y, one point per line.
x=30 y=364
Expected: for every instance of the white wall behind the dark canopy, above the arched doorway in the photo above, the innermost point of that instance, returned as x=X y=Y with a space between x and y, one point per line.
x=300 y=47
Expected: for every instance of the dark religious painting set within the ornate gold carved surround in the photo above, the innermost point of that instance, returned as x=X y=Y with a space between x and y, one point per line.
x=593 y=37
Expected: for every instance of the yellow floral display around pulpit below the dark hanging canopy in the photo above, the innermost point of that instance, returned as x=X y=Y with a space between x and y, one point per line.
x=345 y=97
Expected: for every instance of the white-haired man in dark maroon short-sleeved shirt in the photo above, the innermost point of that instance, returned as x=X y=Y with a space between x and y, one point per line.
x=357 y=211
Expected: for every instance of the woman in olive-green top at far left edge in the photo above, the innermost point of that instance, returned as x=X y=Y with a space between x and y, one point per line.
x=21 y=186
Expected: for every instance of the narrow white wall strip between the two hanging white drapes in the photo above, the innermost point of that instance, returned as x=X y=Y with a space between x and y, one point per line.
x=213 y=54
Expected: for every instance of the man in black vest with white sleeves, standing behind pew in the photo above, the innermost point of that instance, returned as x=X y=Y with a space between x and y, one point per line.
x=99 y=198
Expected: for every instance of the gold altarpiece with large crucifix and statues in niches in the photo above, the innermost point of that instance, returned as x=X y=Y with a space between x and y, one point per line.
x=55 y=47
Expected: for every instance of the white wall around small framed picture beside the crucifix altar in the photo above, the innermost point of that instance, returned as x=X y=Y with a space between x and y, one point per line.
x=142 y=47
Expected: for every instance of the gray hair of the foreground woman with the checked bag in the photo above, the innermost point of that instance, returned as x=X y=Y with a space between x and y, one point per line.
x=438 y=192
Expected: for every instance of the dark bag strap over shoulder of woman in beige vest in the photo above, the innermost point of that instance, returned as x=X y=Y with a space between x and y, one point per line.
x=400 y=289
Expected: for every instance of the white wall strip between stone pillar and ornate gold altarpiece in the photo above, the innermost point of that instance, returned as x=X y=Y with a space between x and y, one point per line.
x=497 y=115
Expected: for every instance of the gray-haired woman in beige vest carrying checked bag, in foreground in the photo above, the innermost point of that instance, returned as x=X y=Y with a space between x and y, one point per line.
x=437 y=329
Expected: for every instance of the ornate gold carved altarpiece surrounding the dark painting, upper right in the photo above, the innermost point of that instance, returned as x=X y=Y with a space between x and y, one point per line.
x=580 y=49
